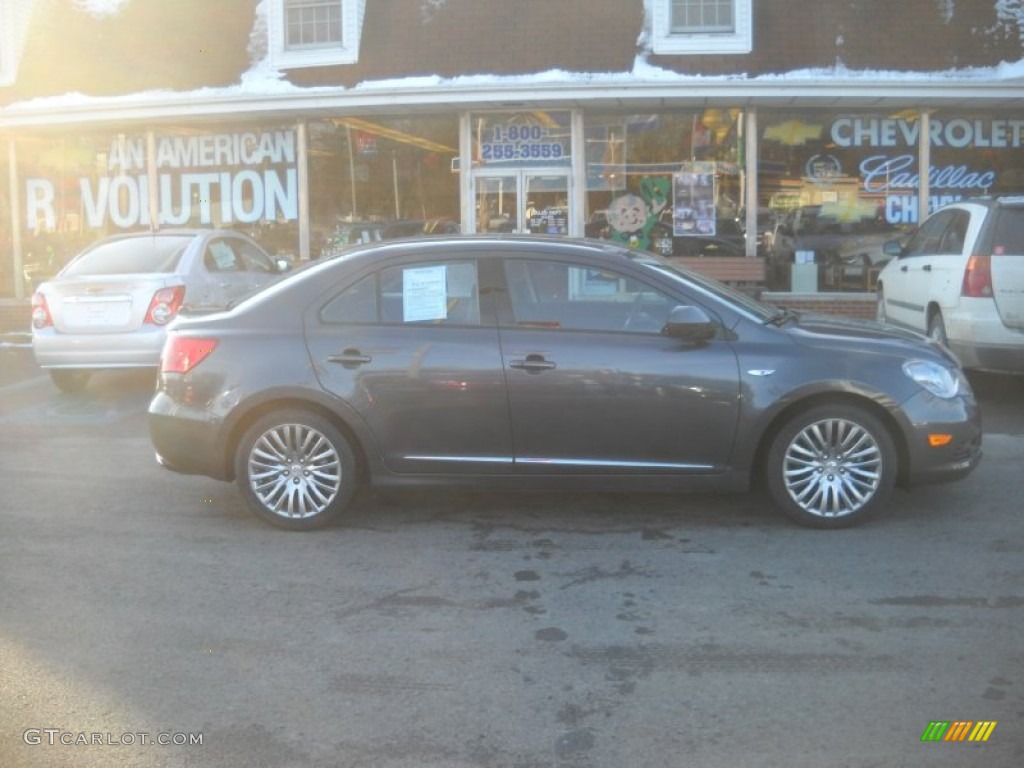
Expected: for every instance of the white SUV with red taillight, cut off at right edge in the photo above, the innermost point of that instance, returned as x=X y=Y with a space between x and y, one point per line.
x=961 y=280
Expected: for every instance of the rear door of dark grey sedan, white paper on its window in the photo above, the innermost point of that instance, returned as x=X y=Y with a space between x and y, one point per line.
x=414 y=350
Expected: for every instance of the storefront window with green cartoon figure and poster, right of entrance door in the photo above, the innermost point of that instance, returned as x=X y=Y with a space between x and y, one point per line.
x=668 y=183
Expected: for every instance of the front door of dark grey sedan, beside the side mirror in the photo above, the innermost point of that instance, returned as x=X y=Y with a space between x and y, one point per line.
x=596 y=389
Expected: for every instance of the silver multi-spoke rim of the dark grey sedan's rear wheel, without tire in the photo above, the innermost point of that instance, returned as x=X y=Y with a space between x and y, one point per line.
x=294 y=472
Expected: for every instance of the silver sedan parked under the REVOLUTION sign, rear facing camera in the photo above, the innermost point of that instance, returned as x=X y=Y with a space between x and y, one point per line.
x=110 y=307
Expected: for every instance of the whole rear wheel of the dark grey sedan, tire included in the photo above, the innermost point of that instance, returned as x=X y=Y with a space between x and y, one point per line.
x=296 y=471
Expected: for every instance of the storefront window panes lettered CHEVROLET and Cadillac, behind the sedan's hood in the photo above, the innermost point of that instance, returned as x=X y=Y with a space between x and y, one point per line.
x=841 y=184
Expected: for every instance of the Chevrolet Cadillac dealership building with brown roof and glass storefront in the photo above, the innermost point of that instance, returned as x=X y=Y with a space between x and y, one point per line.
x=670 y=125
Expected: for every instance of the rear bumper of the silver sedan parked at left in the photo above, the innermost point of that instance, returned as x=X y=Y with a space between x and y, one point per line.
x=140 y=349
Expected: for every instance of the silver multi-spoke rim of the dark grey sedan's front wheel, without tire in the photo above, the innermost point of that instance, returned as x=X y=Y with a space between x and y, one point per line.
x=833 y=468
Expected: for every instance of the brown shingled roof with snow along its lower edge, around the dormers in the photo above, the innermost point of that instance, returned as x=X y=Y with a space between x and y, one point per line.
x=187 y=46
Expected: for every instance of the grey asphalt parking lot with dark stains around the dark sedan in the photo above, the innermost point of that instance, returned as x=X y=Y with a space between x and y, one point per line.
x=491 y=631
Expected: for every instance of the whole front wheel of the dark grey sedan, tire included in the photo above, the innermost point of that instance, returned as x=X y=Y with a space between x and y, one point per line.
x=832 y=466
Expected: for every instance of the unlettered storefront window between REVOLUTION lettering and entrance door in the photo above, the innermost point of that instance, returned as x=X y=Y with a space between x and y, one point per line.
x=373 y=179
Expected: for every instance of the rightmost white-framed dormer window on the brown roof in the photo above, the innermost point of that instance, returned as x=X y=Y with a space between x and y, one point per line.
x=682 y=27
